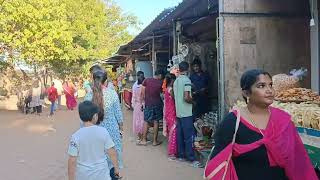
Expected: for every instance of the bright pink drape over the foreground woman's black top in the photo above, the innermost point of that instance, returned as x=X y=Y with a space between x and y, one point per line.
x=284 y=149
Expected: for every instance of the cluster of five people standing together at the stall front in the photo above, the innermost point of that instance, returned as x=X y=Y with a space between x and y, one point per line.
x=177 y=99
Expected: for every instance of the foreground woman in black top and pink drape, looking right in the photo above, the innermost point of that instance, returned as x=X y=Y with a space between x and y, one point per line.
x=262 y=143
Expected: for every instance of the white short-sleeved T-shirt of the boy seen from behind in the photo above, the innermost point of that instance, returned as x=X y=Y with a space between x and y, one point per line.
x=89 y=145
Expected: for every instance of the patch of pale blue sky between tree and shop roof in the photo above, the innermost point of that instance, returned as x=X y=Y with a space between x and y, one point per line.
x=146 y=10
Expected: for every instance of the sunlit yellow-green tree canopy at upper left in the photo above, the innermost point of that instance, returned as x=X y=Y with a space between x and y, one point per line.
x=62 y=33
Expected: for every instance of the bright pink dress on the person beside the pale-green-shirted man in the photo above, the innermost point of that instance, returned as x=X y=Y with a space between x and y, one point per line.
x=170 y=117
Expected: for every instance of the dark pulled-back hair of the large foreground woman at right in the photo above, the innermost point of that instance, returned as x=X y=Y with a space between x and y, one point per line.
x=249 y=78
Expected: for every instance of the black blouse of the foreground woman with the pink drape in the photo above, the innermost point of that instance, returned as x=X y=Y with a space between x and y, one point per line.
x=253 y=165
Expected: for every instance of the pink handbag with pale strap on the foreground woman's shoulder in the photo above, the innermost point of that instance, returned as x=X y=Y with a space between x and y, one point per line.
x=221 y=166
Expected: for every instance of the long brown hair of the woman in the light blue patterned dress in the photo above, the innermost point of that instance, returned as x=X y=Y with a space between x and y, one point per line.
x=99 y=78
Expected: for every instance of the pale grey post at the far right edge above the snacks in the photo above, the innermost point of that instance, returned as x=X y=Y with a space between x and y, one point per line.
x=314 y=40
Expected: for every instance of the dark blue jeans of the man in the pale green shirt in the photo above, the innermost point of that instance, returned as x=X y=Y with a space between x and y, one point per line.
x=185 y=137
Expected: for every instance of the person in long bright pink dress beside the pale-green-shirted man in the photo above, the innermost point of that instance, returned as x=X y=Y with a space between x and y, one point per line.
x=170 y=117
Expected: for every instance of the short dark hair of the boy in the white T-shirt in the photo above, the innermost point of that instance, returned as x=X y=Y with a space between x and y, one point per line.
x=87 y=110
